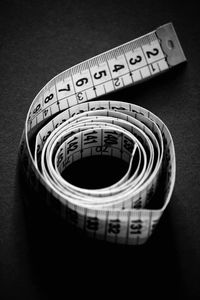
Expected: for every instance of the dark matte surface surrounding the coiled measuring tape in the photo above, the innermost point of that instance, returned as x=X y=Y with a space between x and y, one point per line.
x=39 y=257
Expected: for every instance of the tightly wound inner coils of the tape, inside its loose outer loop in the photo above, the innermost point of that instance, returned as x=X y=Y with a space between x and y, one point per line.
x=108 y=133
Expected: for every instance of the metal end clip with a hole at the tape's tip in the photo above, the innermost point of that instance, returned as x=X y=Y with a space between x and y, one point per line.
x=170 y=44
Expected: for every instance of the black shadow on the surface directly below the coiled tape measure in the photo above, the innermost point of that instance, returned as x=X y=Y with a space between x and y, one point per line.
x=64 y=261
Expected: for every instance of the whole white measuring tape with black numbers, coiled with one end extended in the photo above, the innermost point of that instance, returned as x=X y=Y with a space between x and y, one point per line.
x=63 y=127
